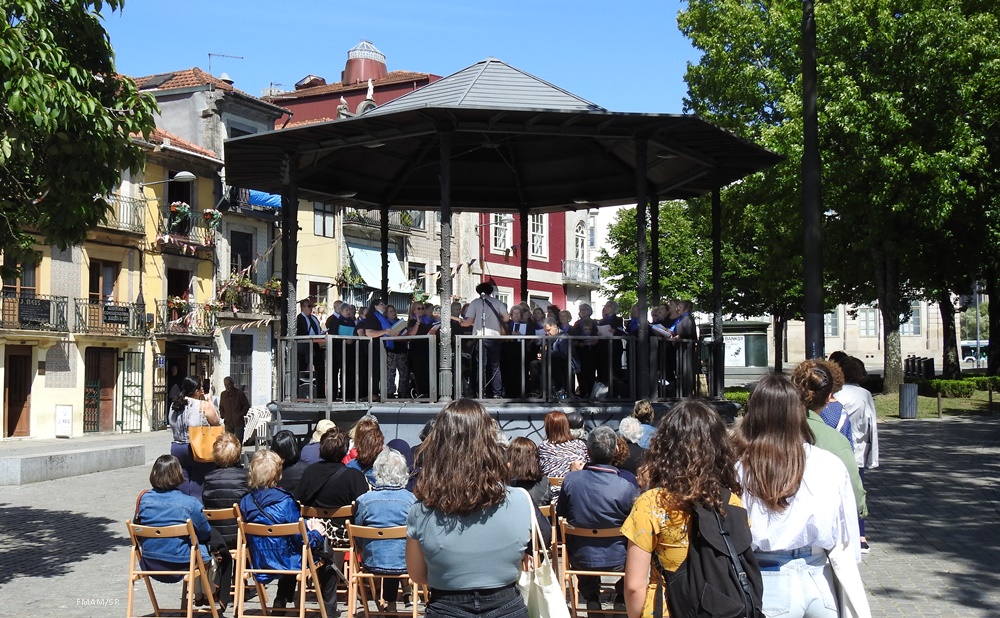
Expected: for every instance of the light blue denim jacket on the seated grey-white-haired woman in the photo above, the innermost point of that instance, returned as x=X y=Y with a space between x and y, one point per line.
x=384 y=507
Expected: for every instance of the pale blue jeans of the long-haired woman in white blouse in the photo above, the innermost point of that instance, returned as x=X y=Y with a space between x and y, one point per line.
x=800 y=587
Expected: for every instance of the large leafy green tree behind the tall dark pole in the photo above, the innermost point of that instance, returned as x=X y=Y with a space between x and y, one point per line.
x=900 y=153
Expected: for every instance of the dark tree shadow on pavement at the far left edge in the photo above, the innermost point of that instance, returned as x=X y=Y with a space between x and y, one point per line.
x=46 y=543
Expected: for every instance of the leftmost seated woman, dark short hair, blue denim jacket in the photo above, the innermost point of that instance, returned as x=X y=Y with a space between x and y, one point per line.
x=166 y=505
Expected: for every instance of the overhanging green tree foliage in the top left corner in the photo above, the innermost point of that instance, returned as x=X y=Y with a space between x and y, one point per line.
x=66 y=117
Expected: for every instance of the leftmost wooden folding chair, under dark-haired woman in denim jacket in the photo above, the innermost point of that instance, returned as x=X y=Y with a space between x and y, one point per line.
x=196 y=568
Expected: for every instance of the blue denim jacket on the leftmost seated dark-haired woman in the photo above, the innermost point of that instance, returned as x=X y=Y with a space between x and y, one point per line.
x=167 y=508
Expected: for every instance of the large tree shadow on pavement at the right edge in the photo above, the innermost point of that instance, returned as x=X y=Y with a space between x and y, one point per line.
x=935 y=499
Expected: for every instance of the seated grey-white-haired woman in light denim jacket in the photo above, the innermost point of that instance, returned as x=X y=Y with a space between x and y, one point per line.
x=384 y=507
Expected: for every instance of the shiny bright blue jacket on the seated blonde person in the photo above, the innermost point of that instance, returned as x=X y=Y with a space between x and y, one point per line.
x=279 y=553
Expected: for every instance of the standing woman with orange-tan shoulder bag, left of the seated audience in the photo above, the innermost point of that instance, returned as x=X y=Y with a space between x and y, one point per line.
x=191 y=409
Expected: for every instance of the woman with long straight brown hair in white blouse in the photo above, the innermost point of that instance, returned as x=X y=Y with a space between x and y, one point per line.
x=802 y=510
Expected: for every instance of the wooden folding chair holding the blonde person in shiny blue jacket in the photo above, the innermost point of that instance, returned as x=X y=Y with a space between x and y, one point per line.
x=307 y=569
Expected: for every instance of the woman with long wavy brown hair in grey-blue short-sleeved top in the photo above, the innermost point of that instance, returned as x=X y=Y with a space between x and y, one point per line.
x=467 y=534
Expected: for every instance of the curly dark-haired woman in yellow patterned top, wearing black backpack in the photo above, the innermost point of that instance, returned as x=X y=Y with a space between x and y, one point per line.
x=689 y=464
